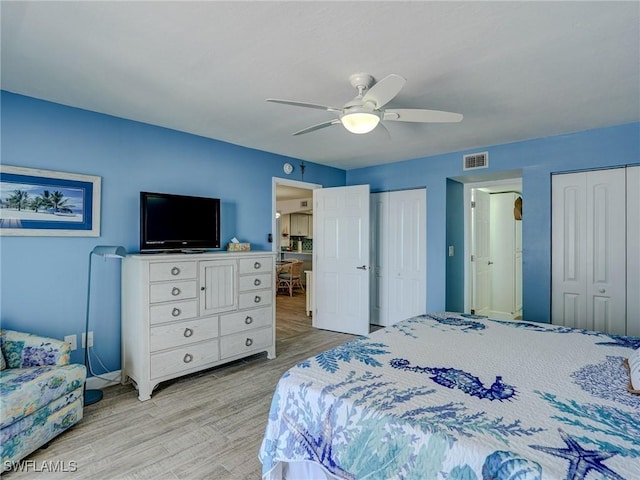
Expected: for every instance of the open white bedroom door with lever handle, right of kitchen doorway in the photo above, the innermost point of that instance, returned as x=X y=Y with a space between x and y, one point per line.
x=341 y=259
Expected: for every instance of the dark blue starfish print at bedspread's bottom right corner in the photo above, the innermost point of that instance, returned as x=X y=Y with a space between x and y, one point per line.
x=581 y=461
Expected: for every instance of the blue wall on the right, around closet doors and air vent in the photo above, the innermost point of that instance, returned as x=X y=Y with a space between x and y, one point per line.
x=538 y=159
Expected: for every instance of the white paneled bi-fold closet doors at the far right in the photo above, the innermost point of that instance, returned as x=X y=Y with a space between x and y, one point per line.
x=595 y=250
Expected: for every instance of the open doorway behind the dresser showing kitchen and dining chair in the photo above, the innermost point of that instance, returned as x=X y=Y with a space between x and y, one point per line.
x=293 y=240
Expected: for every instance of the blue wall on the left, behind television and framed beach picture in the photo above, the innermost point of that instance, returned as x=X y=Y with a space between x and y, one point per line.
x=44 y=279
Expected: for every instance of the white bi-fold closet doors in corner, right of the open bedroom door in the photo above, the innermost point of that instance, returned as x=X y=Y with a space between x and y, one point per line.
x=398 y=255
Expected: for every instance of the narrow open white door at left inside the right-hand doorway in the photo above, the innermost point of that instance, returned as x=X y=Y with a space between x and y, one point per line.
x=481 y=251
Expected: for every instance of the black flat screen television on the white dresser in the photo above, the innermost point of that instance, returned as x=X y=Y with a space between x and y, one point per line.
x=178 y=223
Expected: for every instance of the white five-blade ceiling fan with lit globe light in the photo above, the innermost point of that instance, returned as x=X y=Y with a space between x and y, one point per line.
x=365 y=111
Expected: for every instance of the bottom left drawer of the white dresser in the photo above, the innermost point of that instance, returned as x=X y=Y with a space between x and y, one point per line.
x=188 y=357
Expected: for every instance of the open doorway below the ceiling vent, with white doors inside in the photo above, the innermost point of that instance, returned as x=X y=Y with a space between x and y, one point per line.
x=493 y=233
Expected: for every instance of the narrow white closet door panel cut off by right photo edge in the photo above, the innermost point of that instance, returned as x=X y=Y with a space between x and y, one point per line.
x=633 y=251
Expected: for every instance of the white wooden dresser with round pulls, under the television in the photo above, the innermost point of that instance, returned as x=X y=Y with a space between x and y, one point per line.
x=185 y=313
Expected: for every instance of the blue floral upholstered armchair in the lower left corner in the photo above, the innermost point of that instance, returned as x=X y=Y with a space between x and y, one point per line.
x=41 y=394
